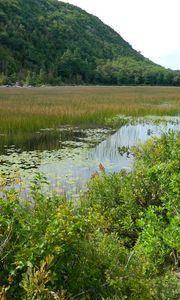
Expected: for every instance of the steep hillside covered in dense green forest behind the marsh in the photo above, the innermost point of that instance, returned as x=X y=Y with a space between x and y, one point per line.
x=47 y=41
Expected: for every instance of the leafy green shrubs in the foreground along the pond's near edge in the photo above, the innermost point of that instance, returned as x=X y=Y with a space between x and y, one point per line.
x=121 y=242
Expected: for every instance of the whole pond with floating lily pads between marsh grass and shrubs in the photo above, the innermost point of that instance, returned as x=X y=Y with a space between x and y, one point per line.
x=70 y=156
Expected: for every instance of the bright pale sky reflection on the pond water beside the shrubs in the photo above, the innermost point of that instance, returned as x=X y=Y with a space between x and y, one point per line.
x=78 y=170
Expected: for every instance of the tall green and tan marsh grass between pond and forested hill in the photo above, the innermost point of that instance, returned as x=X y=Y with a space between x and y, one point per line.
x=29 y=109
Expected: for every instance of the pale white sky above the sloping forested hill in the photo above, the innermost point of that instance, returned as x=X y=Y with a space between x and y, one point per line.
x=149 y=26
